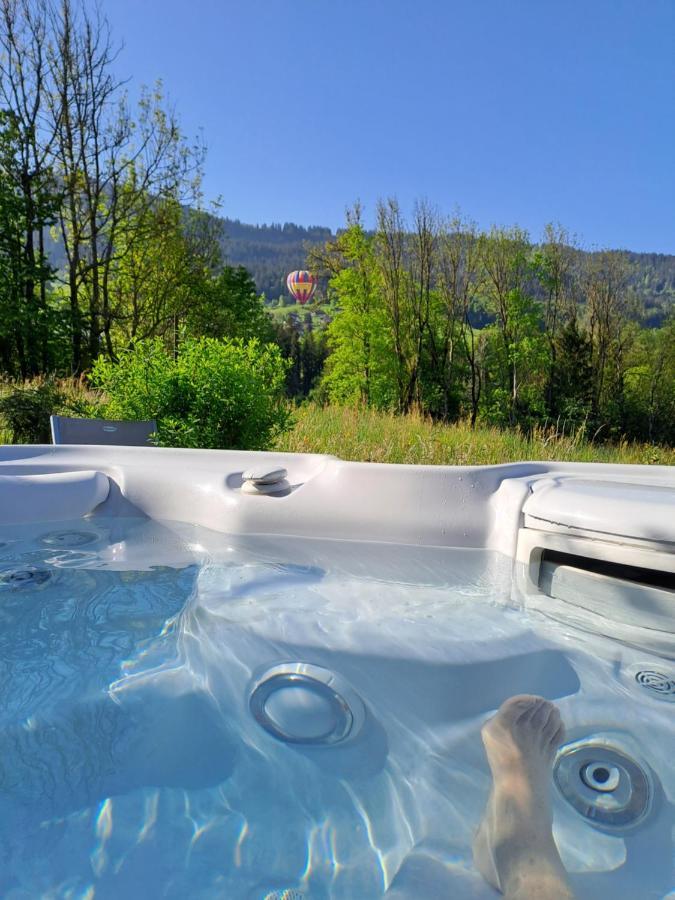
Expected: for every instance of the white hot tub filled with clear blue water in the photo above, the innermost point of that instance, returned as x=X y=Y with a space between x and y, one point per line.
x=216 y=685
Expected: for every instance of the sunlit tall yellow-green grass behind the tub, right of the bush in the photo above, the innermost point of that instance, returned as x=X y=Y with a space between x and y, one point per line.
x=364 y=434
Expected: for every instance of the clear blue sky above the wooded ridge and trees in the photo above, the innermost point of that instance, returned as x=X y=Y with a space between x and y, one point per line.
x=518 y=111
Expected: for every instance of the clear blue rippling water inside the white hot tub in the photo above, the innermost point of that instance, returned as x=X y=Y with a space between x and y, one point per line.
x=132 y=767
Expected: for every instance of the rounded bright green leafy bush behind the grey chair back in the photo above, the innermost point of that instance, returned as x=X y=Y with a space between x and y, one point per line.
x=215 y=394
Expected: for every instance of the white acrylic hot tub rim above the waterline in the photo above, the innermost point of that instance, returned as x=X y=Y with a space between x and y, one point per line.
x=623 y=514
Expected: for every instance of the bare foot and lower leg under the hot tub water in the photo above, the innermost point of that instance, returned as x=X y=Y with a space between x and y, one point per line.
x=514 y=848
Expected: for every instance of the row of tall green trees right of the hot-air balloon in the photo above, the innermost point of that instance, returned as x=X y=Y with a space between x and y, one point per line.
x=439 y=317
